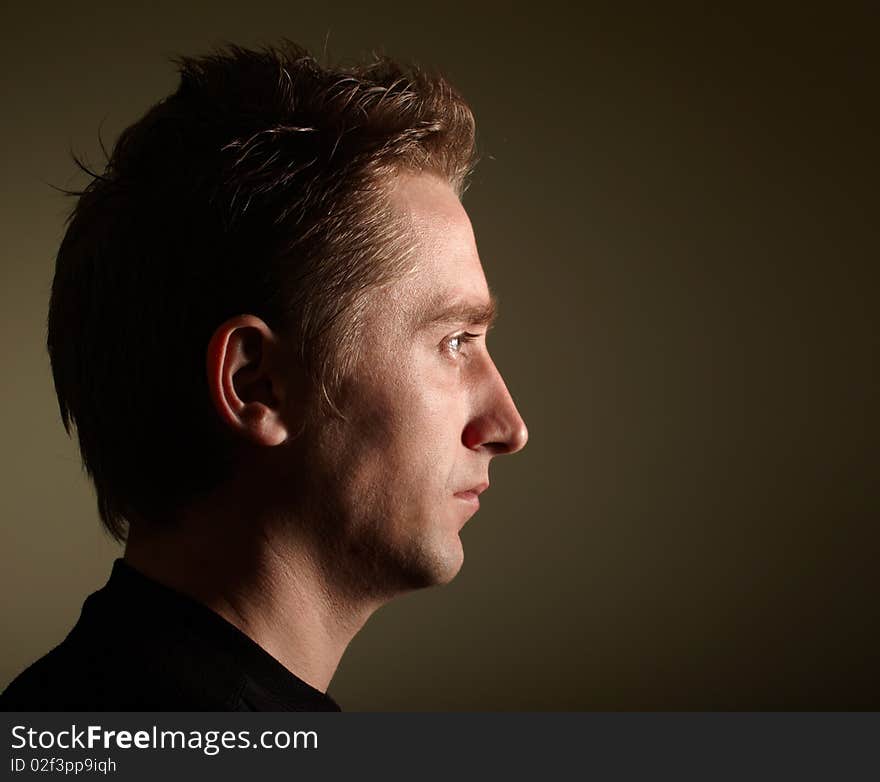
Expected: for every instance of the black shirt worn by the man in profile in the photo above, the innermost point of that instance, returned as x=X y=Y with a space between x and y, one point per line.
x=140 y=646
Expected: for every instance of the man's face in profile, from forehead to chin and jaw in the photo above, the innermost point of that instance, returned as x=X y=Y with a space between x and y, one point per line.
x=425 y=411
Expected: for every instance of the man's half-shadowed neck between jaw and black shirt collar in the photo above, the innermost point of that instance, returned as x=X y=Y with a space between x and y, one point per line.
x=272 y=589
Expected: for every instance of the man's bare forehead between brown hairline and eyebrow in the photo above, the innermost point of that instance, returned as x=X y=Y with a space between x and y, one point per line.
x=445 y=267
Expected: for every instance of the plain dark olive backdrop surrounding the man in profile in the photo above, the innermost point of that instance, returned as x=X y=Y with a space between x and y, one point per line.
x=678 y=211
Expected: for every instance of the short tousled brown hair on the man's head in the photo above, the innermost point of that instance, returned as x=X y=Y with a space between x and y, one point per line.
x=259 y=186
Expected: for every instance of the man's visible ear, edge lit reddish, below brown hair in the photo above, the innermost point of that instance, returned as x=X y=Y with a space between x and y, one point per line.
x=244 y=381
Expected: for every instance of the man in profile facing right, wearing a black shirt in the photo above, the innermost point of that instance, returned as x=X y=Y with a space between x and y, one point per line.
x=268 y=326
